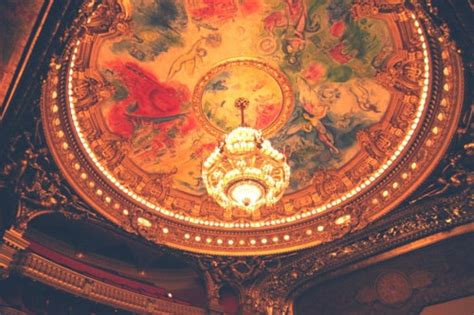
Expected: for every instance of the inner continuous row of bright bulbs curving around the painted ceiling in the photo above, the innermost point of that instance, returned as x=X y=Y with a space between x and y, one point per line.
x=258 y=224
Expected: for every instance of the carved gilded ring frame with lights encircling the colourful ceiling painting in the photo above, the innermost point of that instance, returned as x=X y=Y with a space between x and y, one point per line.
x=424 y=75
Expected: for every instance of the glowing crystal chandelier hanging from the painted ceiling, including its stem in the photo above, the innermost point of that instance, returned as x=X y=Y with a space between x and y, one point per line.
x=245 y=171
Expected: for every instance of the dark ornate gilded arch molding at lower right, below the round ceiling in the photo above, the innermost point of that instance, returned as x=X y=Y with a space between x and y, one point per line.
x=277 y=290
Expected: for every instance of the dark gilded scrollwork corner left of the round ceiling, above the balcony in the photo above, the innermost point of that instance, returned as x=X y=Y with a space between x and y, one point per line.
x=31 y=175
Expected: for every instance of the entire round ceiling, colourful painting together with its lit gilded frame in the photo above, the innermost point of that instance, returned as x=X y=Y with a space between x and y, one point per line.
x=344 y=89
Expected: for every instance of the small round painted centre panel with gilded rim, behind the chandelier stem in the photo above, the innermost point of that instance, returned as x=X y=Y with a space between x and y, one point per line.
x=268 y=91
